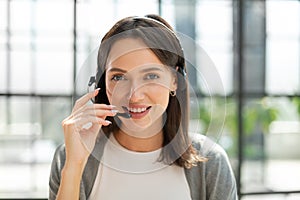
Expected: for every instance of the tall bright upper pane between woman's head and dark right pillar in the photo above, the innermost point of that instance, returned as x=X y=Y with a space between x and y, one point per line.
x=216 y=42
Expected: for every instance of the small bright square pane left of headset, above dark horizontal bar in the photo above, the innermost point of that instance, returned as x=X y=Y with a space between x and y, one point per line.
x=54 y=72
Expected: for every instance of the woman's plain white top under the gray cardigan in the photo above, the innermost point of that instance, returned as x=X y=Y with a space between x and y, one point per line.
x=125 y=174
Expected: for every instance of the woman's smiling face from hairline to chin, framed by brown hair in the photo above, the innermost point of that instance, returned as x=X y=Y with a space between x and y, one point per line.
x=139 y=82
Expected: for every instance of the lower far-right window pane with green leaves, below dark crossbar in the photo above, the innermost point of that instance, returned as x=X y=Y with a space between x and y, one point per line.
x=272 y=138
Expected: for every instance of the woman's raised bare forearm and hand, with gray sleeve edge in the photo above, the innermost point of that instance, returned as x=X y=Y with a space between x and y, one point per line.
x=69 y=163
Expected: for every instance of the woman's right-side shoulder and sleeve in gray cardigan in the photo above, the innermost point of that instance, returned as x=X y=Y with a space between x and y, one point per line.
x=216 y=175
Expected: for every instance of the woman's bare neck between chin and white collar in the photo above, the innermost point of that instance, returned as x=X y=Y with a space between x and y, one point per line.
x=140 y=144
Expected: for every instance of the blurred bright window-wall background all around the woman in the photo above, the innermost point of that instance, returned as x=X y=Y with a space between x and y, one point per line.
x=254 y=45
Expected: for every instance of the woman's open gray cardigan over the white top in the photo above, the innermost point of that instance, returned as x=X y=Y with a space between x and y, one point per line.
x=211 y=180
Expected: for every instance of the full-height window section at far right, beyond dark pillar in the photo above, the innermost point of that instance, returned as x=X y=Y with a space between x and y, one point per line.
x=271 y=124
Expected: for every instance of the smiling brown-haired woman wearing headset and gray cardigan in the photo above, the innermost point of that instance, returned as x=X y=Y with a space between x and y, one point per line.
x=133 y=143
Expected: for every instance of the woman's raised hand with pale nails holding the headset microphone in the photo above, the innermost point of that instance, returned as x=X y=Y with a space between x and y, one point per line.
x=82 y=127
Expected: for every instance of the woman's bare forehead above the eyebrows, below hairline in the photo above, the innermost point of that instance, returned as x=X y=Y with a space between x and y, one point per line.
x=131 y=53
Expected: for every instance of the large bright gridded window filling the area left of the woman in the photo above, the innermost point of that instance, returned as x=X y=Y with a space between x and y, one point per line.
x=36 y=80
